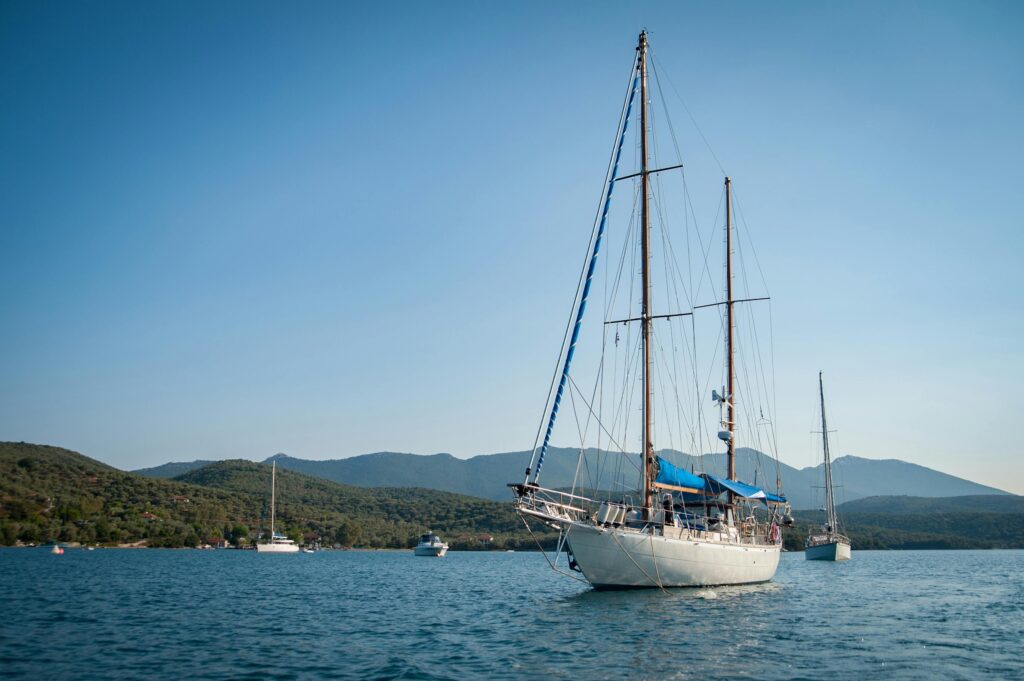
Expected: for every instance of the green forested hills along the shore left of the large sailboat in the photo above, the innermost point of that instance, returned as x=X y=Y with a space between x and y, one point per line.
x=51 y=494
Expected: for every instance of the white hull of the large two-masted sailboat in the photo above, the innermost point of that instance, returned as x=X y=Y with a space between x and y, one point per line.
x=615 y=559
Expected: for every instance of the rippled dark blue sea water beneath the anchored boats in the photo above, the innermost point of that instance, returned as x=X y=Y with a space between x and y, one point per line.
x=352 y=615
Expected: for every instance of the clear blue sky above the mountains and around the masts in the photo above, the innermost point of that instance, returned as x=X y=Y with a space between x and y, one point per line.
x=327 y=229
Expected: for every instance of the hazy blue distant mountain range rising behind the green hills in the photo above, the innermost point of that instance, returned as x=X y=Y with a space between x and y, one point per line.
x=489 y=476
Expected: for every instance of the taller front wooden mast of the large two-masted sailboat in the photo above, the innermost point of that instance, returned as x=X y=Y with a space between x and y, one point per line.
x=649 y=411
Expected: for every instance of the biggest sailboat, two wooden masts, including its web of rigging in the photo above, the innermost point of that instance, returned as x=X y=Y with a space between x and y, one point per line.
x=677 y=528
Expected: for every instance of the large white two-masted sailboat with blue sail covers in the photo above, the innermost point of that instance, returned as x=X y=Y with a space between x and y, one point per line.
x=682 y=529
